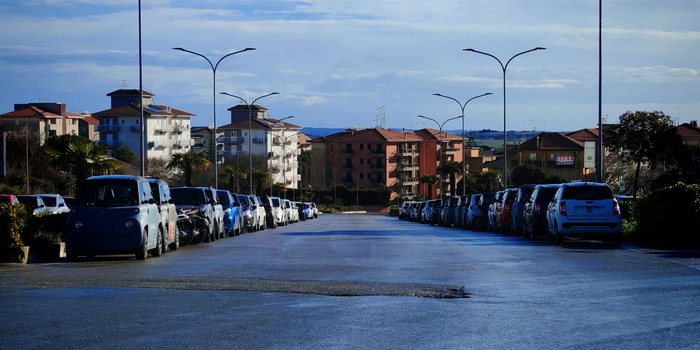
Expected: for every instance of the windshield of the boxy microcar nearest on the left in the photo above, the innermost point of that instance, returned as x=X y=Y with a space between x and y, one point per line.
x=108 y=193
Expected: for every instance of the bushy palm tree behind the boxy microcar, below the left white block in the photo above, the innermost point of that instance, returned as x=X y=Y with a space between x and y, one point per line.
x=83 y=158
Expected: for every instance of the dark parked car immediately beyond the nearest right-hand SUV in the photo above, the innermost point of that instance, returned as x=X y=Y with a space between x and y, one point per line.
x=535 y=210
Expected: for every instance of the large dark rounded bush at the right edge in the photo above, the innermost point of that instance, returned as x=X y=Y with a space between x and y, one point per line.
x=670 y=216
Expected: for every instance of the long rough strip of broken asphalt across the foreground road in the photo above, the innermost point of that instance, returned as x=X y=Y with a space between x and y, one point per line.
x=326 y=288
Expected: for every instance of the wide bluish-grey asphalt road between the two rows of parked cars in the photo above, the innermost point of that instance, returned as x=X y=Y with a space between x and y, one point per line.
x=360 y=282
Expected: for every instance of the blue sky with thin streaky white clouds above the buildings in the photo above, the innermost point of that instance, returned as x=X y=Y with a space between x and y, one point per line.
x=342 y=63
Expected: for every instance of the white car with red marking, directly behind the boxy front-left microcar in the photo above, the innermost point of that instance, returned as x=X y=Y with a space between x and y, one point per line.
x=167 y=212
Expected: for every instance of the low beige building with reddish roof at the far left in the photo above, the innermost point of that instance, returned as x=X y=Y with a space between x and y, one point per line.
x=48 y=119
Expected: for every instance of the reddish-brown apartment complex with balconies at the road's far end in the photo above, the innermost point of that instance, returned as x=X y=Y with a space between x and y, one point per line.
x=384 y=158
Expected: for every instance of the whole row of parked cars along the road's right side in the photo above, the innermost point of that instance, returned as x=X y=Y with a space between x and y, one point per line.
x=582 y=210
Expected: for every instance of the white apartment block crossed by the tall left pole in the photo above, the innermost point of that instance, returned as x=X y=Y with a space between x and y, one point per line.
x=167 y=130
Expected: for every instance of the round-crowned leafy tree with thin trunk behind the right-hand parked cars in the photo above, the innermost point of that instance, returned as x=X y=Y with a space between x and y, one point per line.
x=643 y=137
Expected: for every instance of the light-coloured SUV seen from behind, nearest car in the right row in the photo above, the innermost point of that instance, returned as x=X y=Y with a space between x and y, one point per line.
x=584 y=210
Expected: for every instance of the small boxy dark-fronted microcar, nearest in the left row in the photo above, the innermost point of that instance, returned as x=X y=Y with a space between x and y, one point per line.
x=114 y=214
